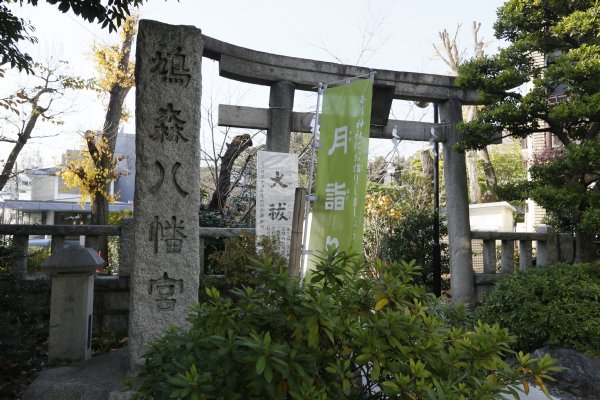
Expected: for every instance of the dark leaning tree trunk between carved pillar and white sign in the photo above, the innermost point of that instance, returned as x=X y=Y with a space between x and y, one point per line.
x=234 y=149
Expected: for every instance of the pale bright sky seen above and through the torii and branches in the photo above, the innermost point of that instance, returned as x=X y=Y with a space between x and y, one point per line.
x=385 y=34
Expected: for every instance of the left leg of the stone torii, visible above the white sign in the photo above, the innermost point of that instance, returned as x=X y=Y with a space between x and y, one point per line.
x=281 y=105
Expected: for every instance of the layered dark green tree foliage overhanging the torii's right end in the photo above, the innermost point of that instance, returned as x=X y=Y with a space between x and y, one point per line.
x=554 y=46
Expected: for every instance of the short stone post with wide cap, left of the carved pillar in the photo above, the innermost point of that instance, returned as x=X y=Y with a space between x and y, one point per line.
x=72 y=269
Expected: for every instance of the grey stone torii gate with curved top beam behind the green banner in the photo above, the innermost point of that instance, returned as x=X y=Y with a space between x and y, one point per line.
x=285 y=75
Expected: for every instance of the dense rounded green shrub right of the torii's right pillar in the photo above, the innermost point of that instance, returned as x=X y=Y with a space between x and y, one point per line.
x=556 y=305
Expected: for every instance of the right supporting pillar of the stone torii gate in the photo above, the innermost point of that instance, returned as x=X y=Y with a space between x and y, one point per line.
x=457 y=206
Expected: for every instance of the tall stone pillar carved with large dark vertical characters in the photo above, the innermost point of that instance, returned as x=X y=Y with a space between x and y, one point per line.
x=166 y=267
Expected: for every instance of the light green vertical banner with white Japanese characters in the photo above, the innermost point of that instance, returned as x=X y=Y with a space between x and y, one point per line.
x=340 y=186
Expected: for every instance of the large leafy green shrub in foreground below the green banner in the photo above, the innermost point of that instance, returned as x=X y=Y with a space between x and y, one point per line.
x=342 y=335
